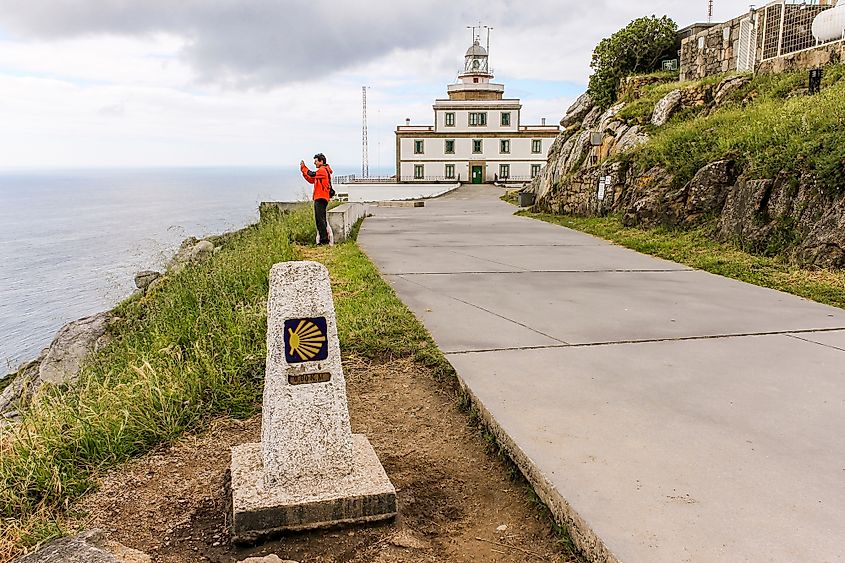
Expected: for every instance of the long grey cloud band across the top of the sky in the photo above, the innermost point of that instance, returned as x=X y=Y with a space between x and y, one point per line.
x=267 y=43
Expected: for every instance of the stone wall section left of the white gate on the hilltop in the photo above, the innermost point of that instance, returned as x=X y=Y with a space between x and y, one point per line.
x=718 y=54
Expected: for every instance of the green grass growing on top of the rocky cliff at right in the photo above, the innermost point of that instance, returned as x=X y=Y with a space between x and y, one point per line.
x=766 y=127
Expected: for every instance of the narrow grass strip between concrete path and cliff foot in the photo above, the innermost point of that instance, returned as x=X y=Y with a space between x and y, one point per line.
x=696 y=249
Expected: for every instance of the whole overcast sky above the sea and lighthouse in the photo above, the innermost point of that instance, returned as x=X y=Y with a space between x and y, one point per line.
x=267 y=82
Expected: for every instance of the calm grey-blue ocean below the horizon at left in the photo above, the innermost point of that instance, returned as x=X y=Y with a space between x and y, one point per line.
x=71 y=241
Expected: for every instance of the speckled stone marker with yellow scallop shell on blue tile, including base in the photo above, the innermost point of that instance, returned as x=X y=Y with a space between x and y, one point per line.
x=309 y=470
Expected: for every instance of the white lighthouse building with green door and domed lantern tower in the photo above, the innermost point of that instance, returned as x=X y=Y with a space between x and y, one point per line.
x=477 y=136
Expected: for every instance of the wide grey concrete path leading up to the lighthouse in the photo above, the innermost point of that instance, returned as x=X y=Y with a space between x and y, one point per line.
x=668 y=414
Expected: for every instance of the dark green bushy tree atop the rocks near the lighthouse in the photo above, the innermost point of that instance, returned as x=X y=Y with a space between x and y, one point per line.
x=638 y=48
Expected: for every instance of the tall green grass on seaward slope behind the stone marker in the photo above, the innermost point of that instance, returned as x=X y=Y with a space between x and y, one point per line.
x=190 y=351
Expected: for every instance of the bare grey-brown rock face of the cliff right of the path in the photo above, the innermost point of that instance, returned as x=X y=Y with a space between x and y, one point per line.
x=593 y=169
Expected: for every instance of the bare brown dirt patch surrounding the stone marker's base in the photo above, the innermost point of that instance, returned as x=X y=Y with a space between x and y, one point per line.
x=171 y=504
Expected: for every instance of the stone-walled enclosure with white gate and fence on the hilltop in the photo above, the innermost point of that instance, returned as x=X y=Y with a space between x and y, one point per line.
x=759 y=40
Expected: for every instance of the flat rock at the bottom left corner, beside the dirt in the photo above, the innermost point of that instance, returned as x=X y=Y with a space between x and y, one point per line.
x=87 y=547
